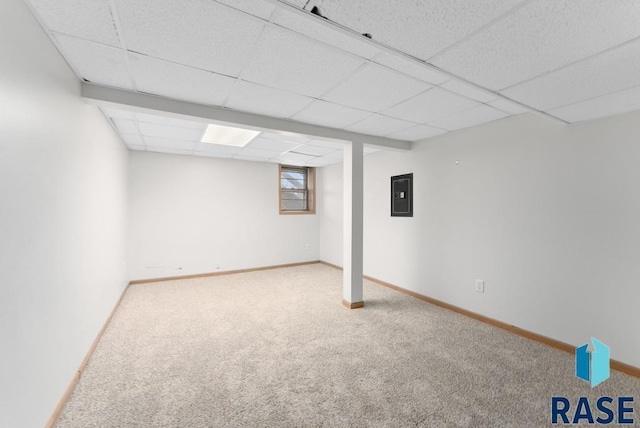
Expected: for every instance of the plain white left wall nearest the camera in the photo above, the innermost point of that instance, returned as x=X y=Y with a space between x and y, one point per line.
x=62 y=221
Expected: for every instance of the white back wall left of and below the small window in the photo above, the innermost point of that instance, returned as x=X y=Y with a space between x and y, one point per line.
x=191 y=215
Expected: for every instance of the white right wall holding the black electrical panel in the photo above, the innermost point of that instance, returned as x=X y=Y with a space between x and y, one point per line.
x=548 y=216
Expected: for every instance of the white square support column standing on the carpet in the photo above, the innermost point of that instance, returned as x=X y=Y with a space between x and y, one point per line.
x=352 y=234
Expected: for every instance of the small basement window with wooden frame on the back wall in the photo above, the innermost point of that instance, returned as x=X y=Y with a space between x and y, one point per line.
x=297 y=190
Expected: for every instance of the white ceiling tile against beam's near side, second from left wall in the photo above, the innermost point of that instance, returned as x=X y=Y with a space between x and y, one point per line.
x=177 y=81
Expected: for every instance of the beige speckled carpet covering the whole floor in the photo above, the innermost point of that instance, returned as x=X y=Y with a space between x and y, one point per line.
x=277 y=349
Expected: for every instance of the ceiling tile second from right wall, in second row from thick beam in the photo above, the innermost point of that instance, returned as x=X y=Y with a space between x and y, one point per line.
x=434 y=104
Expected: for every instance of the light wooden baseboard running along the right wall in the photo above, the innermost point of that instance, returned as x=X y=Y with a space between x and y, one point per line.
x=615 y=365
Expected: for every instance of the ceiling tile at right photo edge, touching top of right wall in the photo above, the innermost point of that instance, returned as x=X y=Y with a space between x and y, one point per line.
x=606 y=105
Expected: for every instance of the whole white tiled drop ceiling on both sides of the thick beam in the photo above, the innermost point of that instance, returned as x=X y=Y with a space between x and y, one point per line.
x=430 y=67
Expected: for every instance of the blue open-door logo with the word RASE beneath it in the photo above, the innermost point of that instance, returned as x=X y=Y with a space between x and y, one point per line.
x=592 y=366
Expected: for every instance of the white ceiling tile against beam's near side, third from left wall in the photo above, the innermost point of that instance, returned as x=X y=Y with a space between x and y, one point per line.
x=253 y=98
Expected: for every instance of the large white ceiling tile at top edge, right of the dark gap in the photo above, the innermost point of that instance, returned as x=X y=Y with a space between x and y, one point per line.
x=420 y=28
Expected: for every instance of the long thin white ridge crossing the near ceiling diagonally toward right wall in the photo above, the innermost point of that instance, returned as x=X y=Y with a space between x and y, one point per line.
x=351 y=33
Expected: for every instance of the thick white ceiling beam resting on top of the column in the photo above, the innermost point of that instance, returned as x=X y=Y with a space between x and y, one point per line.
x=144 y=103
